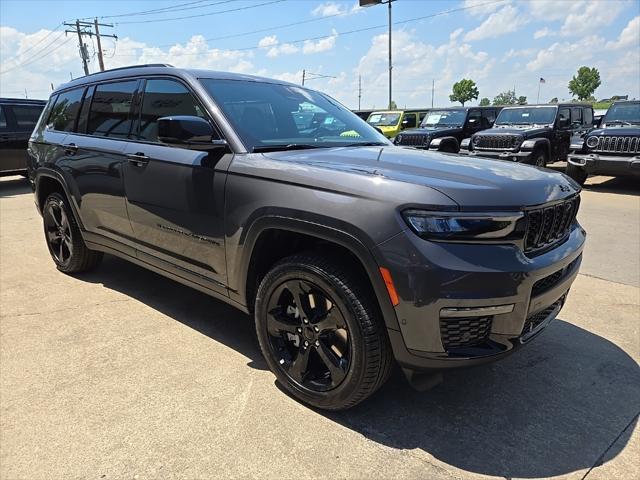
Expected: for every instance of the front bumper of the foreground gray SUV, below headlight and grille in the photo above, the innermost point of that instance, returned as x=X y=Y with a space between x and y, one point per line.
x=432 y=276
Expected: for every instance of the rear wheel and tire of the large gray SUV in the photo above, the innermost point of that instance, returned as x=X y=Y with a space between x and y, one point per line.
x=63 y=237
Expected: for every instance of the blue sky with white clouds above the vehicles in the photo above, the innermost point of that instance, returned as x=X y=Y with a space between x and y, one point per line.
x=499 y=44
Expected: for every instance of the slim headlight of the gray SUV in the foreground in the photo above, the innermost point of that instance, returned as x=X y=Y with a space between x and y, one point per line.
x=462 y=226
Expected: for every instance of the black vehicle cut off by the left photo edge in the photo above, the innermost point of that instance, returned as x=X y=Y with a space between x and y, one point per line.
x=18 y=117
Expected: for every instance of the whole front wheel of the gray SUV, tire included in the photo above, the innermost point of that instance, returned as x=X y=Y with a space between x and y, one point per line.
x=321 y=332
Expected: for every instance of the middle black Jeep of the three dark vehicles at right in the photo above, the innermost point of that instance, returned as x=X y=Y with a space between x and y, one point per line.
x=532 y=134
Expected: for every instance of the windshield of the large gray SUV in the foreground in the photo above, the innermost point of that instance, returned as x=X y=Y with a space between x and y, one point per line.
x=268 y=115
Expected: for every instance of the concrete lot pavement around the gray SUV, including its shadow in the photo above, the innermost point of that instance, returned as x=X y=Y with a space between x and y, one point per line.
x=121 y=373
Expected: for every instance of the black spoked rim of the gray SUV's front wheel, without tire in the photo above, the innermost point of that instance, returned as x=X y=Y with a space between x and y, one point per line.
x=309 y=335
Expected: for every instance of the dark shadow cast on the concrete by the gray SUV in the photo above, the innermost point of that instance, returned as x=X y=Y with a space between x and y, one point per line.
x=550 y=409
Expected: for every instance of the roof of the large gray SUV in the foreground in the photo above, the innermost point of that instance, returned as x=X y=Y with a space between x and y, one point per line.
x=163 y=69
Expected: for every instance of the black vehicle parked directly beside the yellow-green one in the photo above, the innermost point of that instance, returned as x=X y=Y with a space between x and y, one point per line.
x=444 y=129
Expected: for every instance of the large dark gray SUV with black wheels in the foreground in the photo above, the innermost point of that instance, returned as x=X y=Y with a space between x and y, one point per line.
x=348 y=251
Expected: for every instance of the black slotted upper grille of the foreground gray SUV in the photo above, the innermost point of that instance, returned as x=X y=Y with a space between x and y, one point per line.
x=549 y=225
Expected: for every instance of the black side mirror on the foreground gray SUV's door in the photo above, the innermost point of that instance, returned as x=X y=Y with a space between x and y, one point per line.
x=187 y=131
